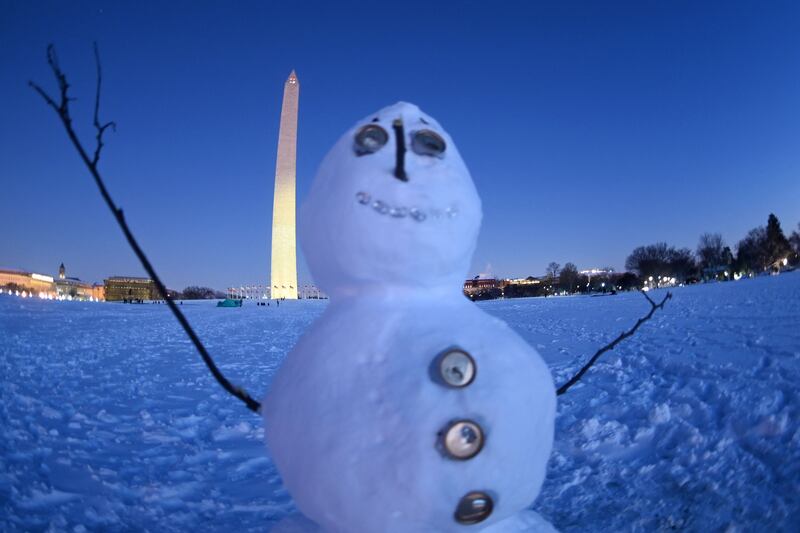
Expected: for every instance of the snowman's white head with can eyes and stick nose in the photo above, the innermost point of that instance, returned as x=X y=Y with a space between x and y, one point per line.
x=392 y=205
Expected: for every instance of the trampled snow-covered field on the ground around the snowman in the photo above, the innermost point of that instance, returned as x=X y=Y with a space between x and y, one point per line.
x=109 y=420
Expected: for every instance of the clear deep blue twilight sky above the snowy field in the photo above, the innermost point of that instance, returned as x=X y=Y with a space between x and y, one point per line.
x=589 y=128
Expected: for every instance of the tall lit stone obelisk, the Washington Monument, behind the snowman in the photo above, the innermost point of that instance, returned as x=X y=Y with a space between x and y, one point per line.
x=283 y=275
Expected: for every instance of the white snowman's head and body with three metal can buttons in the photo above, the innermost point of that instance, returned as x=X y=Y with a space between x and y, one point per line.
x=405 y=407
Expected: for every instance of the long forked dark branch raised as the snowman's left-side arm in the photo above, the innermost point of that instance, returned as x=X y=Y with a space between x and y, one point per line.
x=62 y=109
